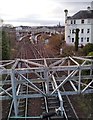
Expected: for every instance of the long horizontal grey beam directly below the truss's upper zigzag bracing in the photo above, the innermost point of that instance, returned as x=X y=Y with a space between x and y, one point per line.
x=42 y=69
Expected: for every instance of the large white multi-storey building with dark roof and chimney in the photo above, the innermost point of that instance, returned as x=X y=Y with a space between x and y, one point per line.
x=83 y=20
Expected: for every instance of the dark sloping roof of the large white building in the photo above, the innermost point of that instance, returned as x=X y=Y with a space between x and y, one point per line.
x=83 y=14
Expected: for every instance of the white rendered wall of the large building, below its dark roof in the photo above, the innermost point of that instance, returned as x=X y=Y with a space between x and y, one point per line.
x=88 y=24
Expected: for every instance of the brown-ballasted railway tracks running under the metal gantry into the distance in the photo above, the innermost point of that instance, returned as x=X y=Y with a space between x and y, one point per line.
x=47 y=107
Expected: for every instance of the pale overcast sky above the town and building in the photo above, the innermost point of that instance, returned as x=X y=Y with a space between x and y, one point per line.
x=39 y=12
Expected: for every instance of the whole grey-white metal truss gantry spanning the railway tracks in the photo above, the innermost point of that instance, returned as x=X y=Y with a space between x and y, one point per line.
x=75 y=71
